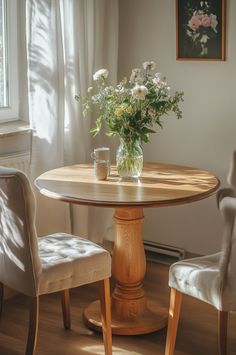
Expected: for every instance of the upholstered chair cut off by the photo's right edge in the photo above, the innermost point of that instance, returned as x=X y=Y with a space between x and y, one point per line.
x=211 y=279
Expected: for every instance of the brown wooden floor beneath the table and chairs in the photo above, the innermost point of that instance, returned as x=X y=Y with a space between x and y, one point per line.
x=197 y=330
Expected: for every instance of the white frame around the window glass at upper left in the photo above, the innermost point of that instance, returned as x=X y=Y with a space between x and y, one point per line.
x=11 y=112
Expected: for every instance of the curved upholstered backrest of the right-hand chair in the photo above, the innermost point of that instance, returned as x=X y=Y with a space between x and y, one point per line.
x=227 y=205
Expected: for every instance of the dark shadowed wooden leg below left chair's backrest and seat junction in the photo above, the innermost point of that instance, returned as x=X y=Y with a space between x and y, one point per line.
x=33 y=326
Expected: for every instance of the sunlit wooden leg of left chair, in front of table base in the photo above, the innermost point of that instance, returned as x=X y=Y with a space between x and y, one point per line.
x=105 y=302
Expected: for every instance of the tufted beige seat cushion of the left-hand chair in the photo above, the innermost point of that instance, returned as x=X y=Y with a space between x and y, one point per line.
x=70 y=261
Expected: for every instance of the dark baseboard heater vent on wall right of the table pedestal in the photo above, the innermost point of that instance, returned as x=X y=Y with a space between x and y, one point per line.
x=162 y=253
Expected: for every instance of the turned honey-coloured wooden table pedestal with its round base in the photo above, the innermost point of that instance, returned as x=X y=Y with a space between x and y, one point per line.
x=132 y=312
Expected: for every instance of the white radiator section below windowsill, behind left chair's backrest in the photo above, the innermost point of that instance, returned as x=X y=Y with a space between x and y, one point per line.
x=19 y=161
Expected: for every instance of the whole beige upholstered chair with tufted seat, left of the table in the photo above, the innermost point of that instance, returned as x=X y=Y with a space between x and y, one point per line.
x=35 y=266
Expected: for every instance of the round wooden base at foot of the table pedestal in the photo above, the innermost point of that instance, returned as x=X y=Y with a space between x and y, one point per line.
x=147 y=322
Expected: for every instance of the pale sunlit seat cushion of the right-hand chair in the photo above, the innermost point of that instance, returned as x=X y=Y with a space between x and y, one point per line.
x=198 y=277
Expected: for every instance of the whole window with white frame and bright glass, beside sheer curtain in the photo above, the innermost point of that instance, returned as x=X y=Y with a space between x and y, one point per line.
x=8 y=61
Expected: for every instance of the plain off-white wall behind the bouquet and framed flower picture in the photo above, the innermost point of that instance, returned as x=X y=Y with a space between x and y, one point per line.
x=205 y=137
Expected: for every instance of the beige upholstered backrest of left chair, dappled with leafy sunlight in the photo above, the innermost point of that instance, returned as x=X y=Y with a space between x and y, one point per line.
x=19 y=259
